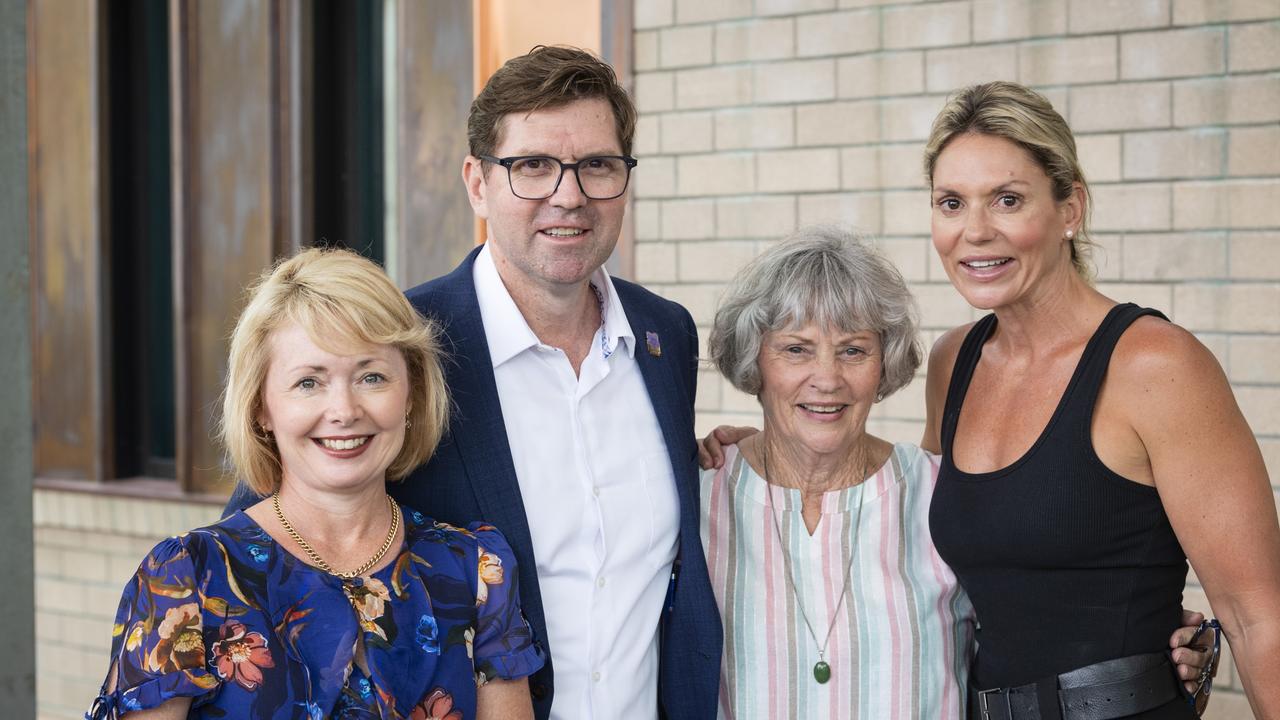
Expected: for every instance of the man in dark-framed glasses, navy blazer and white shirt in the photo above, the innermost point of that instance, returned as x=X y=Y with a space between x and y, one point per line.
x=574 y=391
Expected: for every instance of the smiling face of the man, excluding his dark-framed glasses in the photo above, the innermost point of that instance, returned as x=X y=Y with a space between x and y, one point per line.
x=563 y=240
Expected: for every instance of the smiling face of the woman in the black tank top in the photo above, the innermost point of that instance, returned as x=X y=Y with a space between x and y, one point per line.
x=996 y=225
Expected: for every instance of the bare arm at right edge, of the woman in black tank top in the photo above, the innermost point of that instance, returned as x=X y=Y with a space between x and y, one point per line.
x=1213 y=482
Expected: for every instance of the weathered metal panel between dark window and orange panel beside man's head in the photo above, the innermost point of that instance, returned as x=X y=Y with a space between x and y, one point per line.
x=433 y=81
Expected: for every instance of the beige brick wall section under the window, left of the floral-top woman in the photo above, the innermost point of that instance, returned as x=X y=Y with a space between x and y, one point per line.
x=88 y=548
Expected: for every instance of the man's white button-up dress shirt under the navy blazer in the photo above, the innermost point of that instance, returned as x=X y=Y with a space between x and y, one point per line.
x=601 y=499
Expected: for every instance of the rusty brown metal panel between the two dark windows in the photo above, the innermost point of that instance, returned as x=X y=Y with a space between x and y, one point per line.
x=230 y=204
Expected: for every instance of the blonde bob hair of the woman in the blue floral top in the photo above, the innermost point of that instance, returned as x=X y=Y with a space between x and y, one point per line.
x=342 y=300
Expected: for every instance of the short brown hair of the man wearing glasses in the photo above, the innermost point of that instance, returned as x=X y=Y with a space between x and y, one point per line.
x=547 y=78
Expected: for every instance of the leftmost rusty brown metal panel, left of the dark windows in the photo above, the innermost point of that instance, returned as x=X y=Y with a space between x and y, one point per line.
x=71 y=393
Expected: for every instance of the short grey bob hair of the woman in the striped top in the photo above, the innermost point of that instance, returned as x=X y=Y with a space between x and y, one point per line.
x=824 y=276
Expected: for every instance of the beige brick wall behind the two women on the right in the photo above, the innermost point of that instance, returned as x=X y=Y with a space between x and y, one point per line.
x=817 y=111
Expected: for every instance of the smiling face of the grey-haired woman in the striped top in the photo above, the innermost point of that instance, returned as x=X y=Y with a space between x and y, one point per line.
x=819 y=386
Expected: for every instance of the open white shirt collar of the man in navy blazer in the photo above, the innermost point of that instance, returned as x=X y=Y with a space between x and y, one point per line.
x=509 y=335
